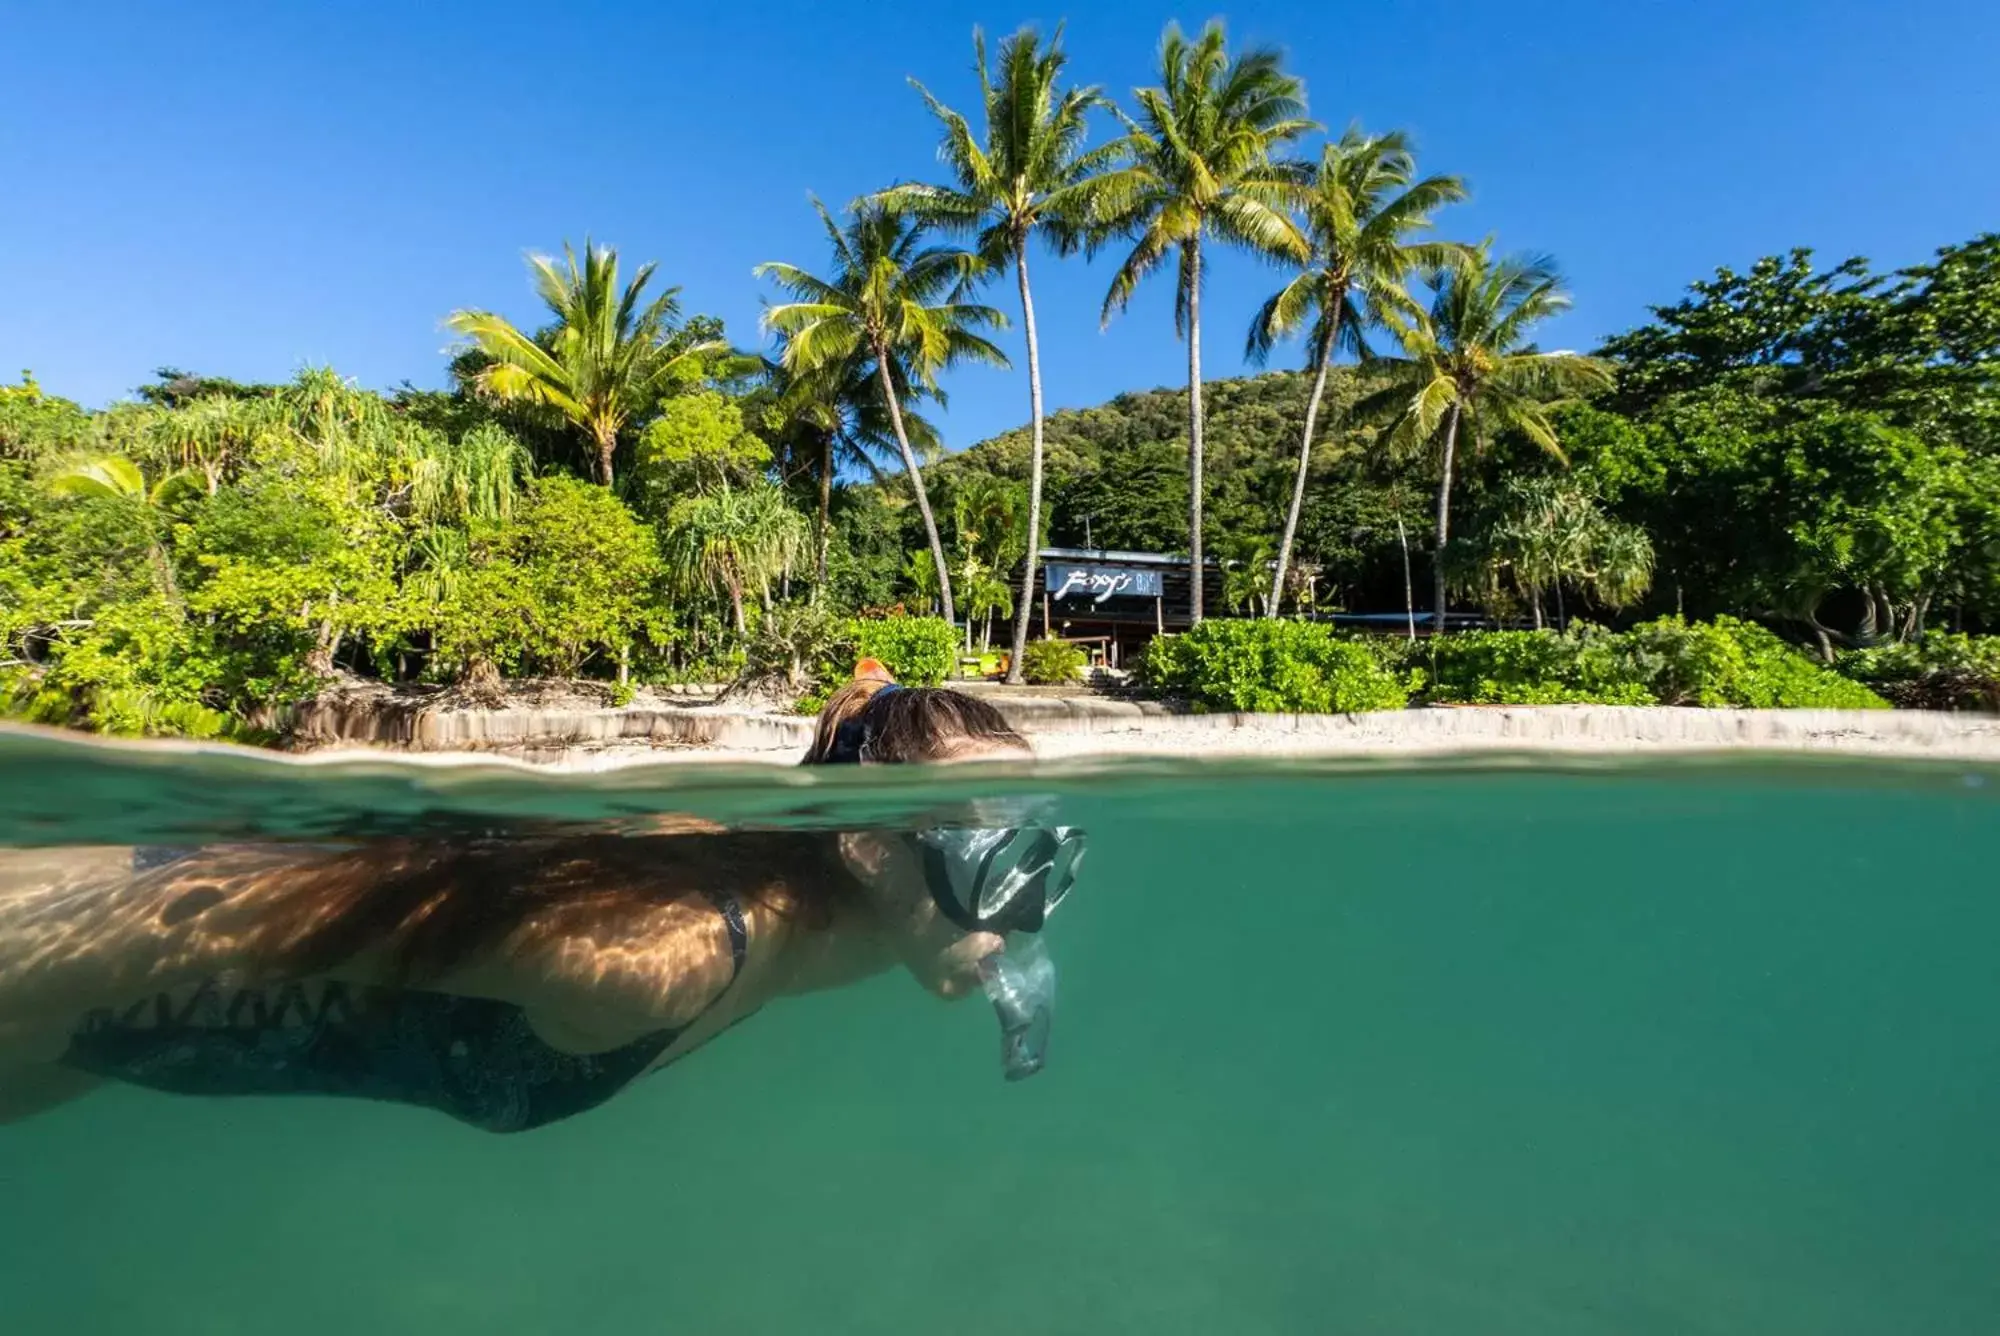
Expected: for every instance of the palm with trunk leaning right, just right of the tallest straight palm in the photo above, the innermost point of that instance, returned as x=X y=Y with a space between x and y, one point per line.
x=1361 y=213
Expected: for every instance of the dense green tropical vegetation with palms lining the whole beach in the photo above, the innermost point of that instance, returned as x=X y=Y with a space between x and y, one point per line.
x=1789 y=475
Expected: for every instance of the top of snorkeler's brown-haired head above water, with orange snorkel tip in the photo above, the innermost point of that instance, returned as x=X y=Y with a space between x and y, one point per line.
x=873 y=721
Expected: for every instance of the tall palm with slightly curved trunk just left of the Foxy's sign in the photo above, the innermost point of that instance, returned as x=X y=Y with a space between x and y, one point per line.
x=1029 y=177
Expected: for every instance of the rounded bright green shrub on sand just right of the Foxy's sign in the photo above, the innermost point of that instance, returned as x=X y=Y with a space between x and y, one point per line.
x=1271 y=667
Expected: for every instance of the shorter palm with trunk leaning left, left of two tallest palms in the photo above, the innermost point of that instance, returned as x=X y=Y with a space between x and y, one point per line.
x=893 y=301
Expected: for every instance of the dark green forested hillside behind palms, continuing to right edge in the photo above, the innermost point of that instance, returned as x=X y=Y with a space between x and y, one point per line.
x=1817 y=449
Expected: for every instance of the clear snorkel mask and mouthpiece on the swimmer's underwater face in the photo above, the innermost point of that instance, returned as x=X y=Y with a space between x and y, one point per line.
x=1009 y=881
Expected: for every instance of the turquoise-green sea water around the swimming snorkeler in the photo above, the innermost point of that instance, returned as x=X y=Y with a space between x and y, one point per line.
x=1709 y=1047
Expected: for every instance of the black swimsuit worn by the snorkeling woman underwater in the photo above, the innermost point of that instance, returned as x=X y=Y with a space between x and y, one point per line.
x=473 y=1059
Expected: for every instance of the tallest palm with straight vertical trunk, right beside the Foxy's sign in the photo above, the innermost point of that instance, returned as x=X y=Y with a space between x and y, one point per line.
x=1197 y=165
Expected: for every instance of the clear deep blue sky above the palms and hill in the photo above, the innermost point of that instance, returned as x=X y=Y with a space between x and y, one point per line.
x=243 y=189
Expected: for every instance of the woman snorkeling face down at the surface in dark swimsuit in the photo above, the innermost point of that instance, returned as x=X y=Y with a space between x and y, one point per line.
x=517 y=983
